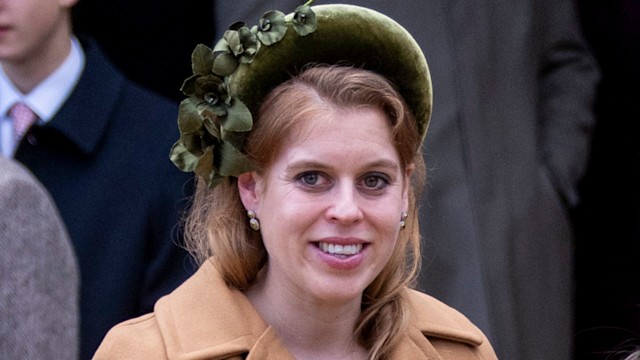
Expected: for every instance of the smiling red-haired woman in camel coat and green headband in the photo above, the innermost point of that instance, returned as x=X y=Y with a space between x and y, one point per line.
x=305 y=219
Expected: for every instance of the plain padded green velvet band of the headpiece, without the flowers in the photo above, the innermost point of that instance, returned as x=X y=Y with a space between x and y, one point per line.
x=346 y=34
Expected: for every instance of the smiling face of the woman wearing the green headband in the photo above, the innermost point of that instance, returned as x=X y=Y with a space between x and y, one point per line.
x=330 y=206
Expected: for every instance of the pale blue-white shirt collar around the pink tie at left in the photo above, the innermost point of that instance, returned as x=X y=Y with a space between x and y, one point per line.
x=46 y=98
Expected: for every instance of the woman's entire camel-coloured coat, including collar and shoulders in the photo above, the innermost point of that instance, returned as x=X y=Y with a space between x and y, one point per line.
x=204 y=319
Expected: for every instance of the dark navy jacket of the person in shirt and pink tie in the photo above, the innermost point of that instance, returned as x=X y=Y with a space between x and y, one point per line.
x=104 y=159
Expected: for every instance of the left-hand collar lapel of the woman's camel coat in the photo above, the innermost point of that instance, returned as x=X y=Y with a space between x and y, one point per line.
x=204 y=304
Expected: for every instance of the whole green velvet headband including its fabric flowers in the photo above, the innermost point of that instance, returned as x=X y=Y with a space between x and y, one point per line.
x=230 y=81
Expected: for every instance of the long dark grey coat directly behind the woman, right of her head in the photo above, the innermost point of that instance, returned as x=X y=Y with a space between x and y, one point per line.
x=507 y=144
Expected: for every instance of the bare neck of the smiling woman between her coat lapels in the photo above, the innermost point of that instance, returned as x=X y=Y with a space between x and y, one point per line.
x=310 y=329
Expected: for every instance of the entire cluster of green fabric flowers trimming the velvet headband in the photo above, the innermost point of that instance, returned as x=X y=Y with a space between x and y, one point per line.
x=212 y=123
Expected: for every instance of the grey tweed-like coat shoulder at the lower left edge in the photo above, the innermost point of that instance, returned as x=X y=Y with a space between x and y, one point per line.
x=38 y=272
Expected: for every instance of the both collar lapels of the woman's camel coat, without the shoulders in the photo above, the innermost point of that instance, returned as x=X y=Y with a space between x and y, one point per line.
x=205 y=305
